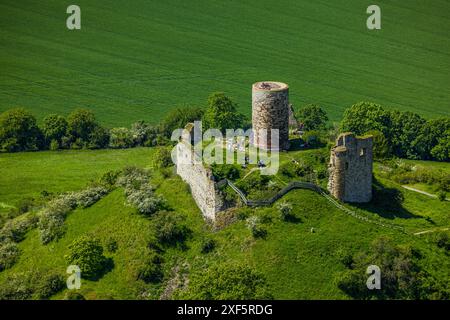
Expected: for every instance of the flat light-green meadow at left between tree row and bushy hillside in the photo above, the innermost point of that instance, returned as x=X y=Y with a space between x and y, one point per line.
x=28 y=174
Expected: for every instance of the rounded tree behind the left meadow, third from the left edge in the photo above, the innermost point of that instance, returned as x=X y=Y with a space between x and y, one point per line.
x=81 y=124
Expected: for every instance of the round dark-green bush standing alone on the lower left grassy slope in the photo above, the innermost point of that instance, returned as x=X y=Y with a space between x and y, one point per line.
x=87 y=253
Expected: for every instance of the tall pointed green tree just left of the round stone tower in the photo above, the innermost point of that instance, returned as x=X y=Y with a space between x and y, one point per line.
x=222 y=114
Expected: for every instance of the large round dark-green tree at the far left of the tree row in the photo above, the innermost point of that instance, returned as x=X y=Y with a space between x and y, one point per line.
x=19 y=131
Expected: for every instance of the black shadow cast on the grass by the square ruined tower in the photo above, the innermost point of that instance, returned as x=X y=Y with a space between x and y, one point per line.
x=387 y=203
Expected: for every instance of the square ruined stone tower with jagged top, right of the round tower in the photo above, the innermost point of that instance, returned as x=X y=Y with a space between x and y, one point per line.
x=350 y=168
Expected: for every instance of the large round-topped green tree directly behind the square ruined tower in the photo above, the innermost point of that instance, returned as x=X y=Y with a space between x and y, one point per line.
x=366 y=116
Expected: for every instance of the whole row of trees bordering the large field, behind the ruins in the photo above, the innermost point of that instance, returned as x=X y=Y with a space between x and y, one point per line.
x=396 y=133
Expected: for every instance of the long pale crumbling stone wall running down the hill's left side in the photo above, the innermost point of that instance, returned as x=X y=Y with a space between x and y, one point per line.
x=204 y=189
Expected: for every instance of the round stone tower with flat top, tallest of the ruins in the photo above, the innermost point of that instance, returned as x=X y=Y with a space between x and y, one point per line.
x=270 y=110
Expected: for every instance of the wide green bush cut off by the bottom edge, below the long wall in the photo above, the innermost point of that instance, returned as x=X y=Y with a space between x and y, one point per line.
x=226 y=282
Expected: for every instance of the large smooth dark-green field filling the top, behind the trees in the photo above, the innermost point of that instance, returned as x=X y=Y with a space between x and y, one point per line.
x=136 y=60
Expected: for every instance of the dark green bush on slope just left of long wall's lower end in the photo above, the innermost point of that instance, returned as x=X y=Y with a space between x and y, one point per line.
x=169 y=229
